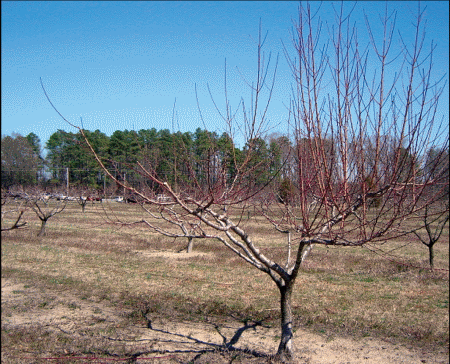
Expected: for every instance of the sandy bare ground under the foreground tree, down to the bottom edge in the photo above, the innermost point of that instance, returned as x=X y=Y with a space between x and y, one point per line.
x=37 y=323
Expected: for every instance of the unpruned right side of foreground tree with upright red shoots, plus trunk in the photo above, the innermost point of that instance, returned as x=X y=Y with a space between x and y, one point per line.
x=361 y=130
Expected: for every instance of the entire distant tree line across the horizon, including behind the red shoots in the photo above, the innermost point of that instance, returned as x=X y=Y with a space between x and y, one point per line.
x=183 y=159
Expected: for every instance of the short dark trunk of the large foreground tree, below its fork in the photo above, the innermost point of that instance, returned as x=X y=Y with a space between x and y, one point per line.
x=286 y=348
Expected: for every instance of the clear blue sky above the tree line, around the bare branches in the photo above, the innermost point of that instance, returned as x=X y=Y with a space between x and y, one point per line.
x=120 y=65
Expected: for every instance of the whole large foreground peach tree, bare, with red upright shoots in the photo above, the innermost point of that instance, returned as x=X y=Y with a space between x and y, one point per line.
x=360 y=130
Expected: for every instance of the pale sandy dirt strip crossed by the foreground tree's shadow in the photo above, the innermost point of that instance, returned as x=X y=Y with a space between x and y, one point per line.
x=25 y=307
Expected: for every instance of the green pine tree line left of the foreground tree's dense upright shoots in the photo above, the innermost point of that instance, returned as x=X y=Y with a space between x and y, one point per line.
x=176 y=157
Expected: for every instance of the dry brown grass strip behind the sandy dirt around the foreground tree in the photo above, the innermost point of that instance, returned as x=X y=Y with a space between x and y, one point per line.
x=340 y=291
